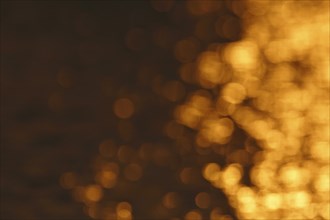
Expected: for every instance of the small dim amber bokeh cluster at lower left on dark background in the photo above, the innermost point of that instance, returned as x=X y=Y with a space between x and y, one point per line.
x=113 y=164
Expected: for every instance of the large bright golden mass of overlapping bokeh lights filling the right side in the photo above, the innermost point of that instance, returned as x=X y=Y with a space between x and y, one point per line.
x=281 y=66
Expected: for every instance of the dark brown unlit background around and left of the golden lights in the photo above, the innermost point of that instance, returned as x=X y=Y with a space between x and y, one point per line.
x=51 y=125
